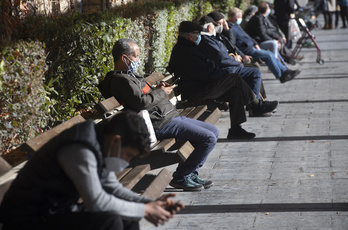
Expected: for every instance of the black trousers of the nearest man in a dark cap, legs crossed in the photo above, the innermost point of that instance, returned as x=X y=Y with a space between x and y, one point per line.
x=232 y=89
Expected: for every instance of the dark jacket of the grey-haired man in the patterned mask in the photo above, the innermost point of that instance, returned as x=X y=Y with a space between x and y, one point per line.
x=128 y=88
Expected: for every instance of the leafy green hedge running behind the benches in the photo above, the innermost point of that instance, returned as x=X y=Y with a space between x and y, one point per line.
x=78 y=55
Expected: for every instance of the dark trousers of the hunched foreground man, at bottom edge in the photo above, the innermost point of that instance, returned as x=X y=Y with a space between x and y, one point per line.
x=81 y=220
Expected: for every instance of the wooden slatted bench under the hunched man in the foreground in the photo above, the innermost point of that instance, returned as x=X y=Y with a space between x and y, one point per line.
x=136 y=178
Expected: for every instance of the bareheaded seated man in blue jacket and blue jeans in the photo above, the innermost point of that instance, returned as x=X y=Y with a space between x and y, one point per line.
x=249 y=46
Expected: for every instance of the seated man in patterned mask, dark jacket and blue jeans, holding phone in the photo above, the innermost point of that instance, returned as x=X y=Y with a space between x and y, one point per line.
x=136 y=94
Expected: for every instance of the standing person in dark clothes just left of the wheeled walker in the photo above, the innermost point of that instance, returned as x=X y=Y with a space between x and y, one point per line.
x=284 y=10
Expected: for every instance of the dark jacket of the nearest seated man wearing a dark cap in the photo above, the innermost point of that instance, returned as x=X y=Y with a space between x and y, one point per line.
x=194 y=68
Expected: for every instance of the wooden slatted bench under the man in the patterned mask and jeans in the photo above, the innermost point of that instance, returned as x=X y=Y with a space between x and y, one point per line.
x=168 y=151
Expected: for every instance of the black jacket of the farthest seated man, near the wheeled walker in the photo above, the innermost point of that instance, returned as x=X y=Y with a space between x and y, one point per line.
x=259 y=28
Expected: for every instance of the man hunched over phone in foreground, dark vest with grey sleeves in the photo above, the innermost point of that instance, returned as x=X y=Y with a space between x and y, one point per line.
x=81 y=163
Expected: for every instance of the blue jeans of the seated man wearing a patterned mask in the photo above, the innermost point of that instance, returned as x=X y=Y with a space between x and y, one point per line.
x=203 y=136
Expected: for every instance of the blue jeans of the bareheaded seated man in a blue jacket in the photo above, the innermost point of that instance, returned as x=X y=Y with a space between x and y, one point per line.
x=276 y=67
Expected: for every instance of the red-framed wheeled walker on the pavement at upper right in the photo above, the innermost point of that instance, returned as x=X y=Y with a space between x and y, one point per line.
x=306 y=26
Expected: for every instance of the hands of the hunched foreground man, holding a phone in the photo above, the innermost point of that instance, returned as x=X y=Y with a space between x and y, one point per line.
x=161 y=210
